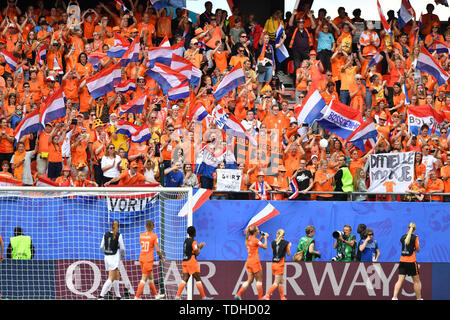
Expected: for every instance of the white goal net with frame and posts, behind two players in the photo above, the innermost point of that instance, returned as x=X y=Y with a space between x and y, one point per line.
x=66 y=227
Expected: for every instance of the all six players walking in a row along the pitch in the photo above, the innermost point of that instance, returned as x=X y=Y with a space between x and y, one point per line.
x=113 y=247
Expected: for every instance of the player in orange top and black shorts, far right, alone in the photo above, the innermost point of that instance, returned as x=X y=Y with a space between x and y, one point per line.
x=408 y=263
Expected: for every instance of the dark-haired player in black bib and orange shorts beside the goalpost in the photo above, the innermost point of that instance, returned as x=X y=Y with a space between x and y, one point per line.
x=190 y=264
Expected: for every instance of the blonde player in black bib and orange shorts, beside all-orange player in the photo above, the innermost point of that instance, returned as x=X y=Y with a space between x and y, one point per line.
x=280 y=248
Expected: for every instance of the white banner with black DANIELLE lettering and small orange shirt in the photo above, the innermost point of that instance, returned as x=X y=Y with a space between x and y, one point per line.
x=391 y=172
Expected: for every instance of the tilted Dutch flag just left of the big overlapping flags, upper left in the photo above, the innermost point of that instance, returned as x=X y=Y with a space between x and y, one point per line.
x=104 y=81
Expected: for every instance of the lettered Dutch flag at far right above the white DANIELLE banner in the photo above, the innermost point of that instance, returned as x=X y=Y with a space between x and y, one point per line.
x=425 y=114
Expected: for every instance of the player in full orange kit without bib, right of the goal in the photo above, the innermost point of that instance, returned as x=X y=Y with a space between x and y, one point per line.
x=254 y=268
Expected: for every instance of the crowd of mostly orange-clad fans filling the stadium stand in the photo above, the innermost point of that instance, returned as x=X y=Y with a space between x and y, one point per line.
x=329 y=52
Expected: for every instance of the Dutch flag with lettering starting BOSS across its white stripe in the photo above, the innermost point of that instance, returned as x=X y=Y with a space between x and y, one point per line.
x=340 y=119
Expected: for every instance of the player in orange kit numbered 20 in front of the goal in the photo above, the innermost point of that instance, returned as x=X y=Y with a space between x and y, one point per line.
x=148 y=241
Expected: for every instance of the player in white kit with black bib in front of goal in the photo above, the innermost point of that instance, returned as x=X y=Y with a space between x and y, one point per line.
x=113 y=247
